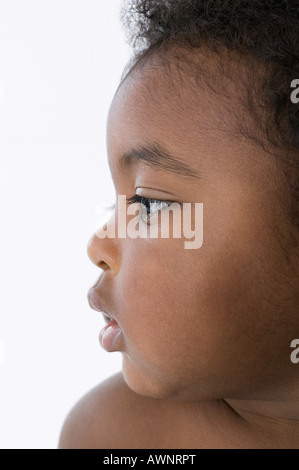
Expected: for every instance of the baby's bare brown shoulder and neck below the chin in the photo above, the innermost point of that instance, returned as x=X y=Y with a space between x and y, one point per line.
x=112 y=416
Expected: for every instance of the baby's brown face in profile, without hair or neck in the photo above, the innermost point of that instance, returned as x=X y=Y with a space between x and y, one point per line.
x=200 y=323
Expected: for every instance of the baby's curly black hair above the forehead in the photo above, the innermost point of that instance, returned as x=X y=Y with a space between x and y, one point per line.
x=263 y=32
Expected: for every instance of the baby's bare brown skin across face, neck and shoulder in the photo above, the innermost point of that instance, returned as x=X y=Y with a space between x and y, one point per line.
x=205 y=333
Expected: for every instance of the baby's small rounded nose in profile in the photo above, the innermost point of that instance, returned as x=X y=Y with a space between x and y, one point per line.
x=103 y=252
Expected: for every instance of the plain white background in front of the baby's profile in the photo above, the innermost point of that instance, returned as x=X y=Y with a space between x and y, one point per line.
x=60 y=64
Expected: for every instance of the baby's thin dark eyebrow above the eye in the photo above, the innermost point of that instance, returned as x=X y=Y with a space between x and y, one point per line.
x=157 y=157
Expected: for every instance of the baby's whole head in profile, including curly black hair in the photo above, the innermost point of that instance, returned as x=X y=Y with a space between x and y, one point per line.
x=204 y=114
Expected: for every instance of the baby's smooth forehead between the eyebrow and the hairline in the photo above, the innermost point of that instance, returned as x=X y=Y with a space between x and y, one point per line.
x=194 y=120
